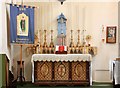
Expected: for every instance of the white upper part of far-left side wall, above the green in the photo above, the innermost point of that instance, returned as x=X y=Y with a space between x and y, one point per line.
x=4 y=45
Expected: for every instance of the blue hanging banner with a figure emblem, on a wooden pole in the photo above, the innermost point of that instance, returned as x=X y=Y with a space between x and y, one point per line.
x=21 y=24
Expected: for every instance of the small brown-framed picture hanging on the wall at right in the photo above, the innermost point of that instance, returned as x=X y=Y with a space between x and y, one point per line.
x=111 y=34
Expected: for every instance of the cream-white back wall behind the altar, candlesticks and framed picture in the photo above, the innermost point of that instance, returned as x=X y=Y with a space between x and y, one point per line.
x=96 y=15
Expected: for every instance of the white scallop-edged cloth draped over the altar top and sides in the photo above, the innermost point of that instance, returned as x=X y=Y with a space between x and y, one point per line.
x=61 y=57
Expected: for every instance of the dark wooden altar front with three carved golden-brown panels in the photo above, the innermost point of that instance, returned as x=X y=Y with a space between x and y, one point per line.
x=55 y=73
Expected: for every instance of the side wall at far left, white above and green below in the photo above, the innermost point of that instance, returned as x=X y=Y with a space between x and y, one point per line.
x=4 y=46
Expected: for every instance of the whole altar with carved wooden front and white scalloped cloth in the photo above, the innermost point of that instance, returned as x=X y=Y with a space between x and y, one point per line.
x=61 y=69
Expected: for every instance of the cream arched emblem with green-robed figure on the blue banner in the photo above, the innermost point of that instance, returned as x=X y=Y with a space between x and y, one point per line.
x=22 y=25
